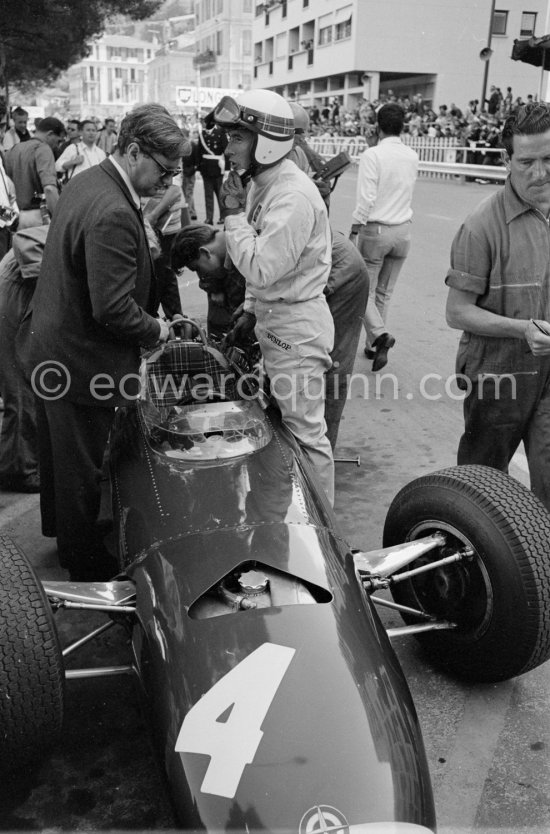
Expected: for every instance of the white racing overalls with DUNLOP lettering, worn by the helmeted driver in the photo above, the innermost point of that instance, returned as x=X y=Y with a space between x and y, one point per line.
x=282 y=245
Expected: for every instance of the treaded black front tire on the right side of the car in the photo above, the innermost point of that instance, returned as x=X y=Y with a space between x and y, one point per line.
x=499 y=600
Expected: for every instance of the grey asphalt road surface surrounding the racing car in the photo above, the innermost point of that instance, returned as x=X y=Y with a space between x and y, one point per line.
x=487 y=746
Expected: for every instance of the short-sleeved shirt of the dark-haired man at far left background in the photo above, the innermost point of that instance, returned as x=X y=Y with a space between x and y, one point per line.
x=31 y=166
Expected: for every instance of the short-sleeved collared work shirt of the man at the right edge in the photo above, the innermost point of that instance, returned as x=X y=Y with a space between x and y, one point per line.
x=502 y=254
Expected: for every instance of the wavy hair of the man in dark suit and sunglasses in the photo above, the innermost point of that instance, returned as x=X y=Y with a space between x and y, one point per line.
x=154 y=129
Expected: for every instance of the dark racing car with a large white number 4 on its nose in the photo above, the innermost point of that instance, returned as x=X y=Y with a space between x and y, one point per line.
x=276 y=698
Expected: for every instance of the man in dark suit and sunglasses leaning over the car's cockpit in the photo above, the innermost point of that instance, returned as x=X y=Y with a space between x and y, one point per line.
x=95 y=305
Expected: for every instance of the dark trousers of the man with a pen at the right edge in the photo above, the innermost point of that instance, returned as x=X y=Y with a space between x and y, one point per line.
x=499 y=414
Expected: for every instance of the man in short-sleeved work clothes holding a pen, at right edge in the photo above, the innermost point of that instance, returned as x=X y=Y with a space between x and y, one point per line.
x=499 y=296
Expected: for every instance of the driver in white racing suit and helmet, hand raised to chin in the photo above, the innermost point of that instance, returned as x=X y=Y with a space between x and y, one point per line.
x=278 y=237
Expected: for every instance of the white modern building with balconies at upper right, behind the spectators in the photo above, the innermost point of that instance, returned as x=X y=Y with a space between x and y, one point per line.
x=315 y=50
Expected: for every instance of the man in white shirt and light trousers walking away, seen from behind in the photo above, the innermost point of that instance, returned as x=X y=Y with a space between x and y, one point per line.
x=382 y=221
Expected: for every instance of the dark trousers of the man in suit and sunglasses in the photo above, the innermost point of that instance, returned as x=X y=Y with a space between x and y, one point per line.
x=72 y=443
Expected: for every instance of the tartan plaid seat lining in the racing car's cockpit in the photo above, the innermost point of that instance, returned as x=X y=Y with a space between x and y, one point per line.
x=187 y=372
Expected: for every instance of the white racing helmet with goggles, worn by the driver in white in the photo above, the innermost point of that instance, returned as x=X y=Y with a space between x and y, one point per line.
x=265 y=114
